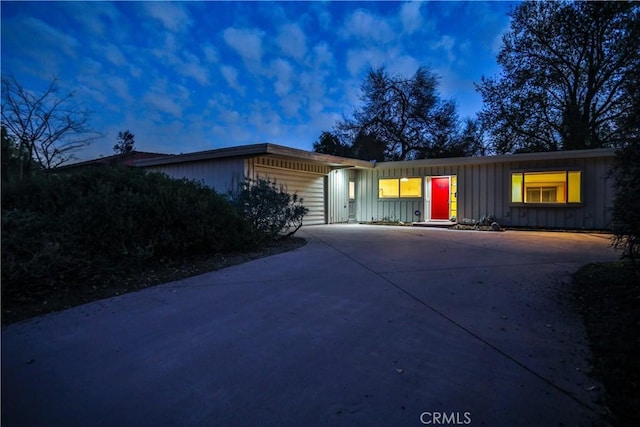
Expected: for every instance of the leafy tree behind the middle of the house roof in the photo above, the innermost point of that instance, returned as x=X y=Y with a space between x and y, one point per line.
x=406 y=113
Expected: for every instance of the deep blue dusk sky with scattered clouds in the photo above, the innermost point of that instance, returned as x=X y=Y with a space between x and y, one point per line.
x=191 y=76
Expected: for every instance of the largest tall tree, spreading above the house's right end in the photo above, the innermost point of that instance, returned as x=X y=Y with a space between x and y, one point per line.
x=565 y=80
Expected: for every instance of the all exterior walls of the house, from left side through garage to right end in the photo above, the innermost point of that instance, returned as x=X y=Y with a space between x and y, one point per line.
x=483 y=186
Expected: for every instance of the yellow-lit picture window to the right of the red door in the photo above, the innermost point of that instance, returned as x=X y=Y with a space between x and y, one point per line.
x=555 y=187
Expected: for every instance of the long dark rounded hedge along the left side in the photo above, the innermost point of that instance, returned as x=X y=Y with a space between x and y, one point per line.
x=74 y=222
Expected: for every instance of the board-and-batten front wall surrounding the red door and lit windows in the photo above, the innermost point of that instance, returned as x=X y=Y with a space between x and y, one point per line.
x=485 y=188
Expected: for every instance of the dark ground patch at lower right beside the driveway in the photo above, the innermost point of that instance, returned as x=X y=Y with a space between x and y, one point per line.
x=608 y=297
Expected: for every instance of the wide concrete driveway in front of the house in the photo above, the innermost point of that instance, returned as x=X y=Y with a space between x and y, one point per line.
x=365 y=325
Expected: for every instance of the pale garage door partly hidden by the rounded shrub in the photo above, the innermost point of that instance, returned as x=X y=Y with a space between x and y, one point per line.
x=309 y=186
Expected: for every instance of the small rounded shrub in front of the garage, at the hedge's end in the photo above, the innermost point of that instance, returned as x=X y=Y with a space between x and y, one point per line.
x=271 y=212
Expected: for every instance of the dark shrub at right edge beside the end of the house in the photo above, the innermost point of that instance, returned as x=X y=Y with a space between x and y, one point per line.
x=626 y=202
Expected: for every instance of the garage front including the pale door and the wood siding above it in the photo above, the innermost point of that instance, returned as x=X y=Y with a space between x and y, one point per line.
x=307 y=180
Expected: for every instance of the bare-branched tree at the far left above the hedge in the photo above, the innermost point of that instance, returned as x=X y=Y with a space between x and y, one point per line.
x=48 y=128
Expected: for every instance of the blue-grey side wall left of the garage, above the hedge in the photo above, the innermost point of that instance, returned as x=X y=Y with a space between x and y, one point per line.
x=223 y=175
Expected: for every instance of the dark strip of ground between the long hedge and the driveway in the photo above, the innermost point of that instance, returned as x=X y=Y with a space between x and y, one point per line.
x=130 y=275
